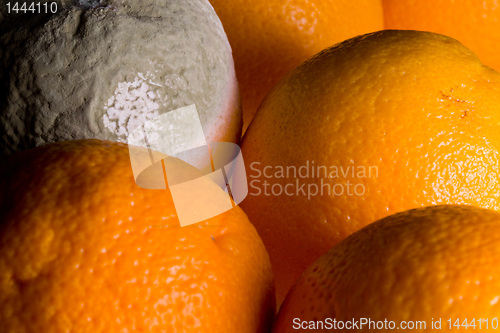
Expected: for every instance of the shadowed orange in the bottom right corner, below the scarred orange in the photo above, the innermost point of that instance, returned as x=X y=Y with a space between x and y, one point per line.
x=419 y=265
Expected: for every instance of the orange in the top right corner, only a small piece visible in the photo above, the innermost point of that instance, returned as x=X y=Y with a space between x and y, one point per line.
x=475 y=23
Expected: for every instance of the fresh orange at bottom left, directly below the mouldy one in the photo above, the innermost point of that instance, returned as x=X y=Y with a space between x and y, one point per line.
x=83 y=249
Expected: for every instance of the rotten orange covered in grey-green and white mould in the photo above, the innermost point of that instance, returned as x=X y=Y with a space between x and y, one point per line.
x=101 y=70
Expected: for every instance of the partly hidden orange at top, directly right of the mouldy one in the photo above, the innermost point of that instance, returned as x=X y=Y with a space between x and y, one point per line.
x=270 y=38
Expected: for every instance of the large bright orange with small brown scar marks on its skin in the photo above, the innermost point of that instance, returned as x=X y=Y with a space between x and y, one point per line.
x=417 y=108
